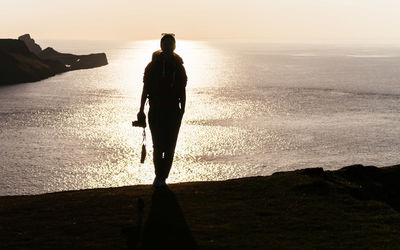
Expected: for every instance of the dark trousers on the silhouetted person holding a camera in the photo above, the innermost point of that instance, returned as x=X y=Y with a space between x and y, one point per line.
x=164 y=126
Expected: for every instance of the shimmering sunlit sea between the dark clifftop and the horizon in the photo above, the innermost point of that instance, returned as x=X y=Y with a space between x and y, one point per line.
x=252 y=109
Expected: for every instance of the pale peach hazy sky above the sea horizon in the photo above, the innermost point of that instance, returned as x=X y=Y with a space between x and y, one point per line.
x=273 y=20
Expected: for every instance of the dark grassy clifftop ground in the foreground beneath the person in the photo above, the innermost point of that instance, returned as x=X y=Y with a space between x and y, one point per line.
x=355 y=207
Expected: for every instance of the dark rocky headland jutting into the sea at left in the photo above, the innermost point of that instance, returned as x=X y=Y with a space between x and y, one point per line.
x=22 y=60
